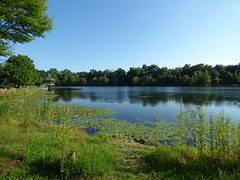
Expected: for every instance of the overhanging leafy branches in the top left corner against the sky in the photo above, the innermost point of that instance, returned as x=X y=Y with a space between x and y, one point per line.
x=22 y=21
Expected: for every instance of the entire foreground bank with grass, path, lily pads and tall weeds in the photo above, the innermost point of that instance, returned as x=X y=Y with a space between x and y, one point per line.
x=40 y=139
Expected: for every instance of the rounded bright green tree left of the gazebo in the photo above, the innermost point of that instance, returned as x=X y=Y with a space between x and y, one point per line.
x=20 y=70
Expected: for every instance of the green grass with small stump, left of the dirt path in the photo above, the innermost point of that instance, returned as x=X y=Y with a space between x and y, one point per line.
x=44 y=150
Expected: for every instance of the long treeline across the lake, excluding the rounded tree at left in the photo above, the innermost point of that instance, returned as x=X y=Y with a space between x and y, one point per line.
x=197 y=75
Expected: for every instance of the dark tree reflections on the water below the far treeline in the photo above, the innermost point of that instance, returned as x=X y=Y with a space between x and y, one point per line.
x=149 y=96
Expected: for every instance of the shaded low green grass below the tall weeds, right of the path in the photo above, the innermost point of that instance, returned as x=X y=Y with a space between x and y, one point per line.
x=187 y=163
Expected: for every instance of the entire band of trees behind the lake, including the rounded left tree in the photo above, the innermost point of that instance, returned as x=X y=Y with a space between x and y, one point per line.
x=197 y=75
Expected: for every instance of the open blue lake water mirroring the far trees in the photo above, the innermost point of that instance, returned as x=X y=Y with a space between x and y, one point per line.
x=136 y=104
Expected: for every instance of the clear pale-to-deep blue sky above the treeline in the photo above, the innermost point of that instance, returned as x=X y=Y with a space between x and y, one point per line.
x=111 y=34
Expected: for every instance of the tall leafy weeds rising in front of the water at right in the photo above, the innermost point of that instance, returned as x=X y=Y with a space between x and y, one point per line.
x=208 y=132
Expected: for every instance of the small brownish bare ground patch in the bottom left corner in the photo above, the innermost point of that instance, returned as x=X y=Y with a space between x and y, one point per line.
x=8 y=164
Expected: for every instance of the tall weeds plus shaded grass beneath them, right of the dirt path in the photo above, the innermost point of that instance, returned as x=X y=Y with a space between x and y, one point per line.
x=205 y=145
